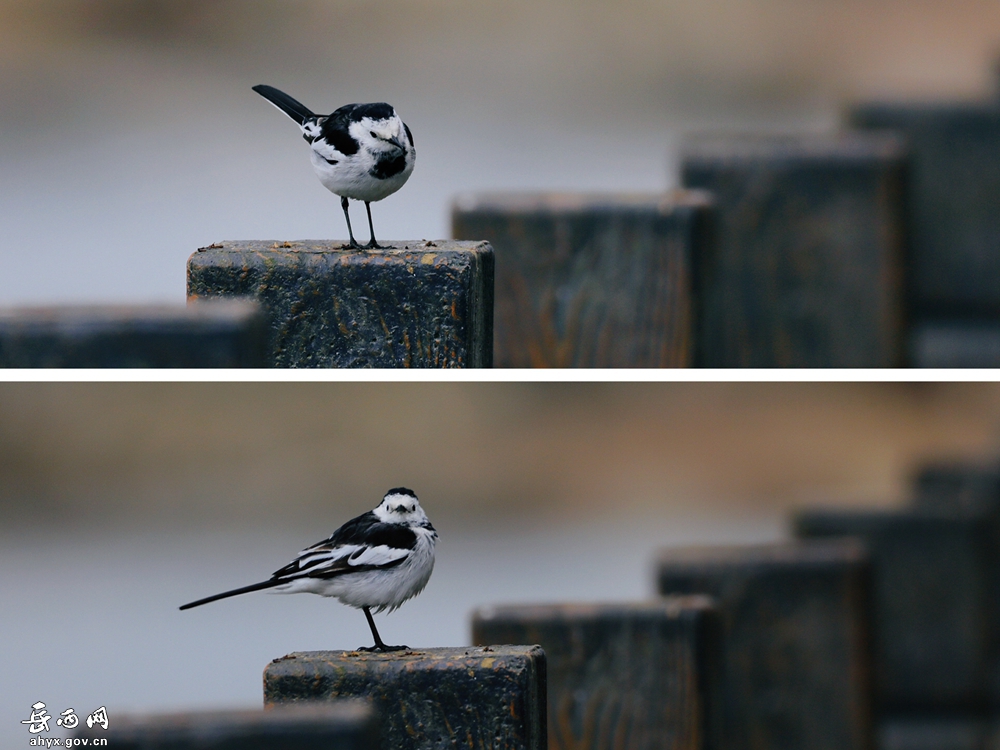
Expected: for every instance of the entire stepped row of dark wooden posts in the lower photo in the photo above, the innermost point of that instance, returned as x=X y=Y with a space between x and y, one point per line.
x=874 y=630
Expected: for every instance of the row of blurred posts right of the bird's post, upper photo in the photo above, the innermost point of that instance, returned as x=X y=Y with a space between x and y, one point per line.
x=877 y=247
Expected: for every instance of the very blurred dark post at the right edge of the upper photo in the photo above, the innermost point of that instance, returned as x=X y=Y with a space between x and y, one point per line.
x=954 y=226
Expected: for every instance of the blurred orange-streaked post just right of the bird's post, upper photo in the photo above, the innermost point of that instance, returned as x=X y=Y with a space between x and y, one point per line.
x=591 y=280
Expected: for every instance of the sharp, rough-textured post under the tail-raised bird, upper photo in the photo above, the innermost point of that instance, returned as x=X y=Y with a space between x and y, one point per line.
x=420 y=304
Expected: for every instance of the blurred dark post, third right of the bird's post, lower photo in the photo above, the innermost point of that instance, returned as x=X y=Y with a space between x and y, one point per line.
x=933 y=615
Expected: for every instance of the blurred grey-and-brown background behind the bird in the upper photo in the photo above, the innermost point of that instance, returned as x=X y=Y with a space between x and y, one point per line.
x=129 y=135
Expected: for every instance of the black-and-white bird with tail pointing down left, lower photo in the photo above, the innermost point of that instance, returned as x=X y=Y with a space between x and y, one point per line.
x=375 y=561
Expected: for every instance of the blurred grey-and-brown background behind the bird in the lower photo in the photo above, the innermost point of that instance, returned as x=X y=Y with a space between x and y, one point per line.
x=122 y=501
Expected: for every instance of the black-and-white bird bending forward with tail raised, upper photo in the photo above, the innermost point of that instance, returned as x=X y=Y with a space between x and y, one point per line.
x=362 y=152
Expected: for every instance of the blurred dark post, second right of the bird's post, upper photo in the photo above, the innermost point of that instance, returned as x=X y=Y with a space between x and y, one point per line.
x=807 y=267
